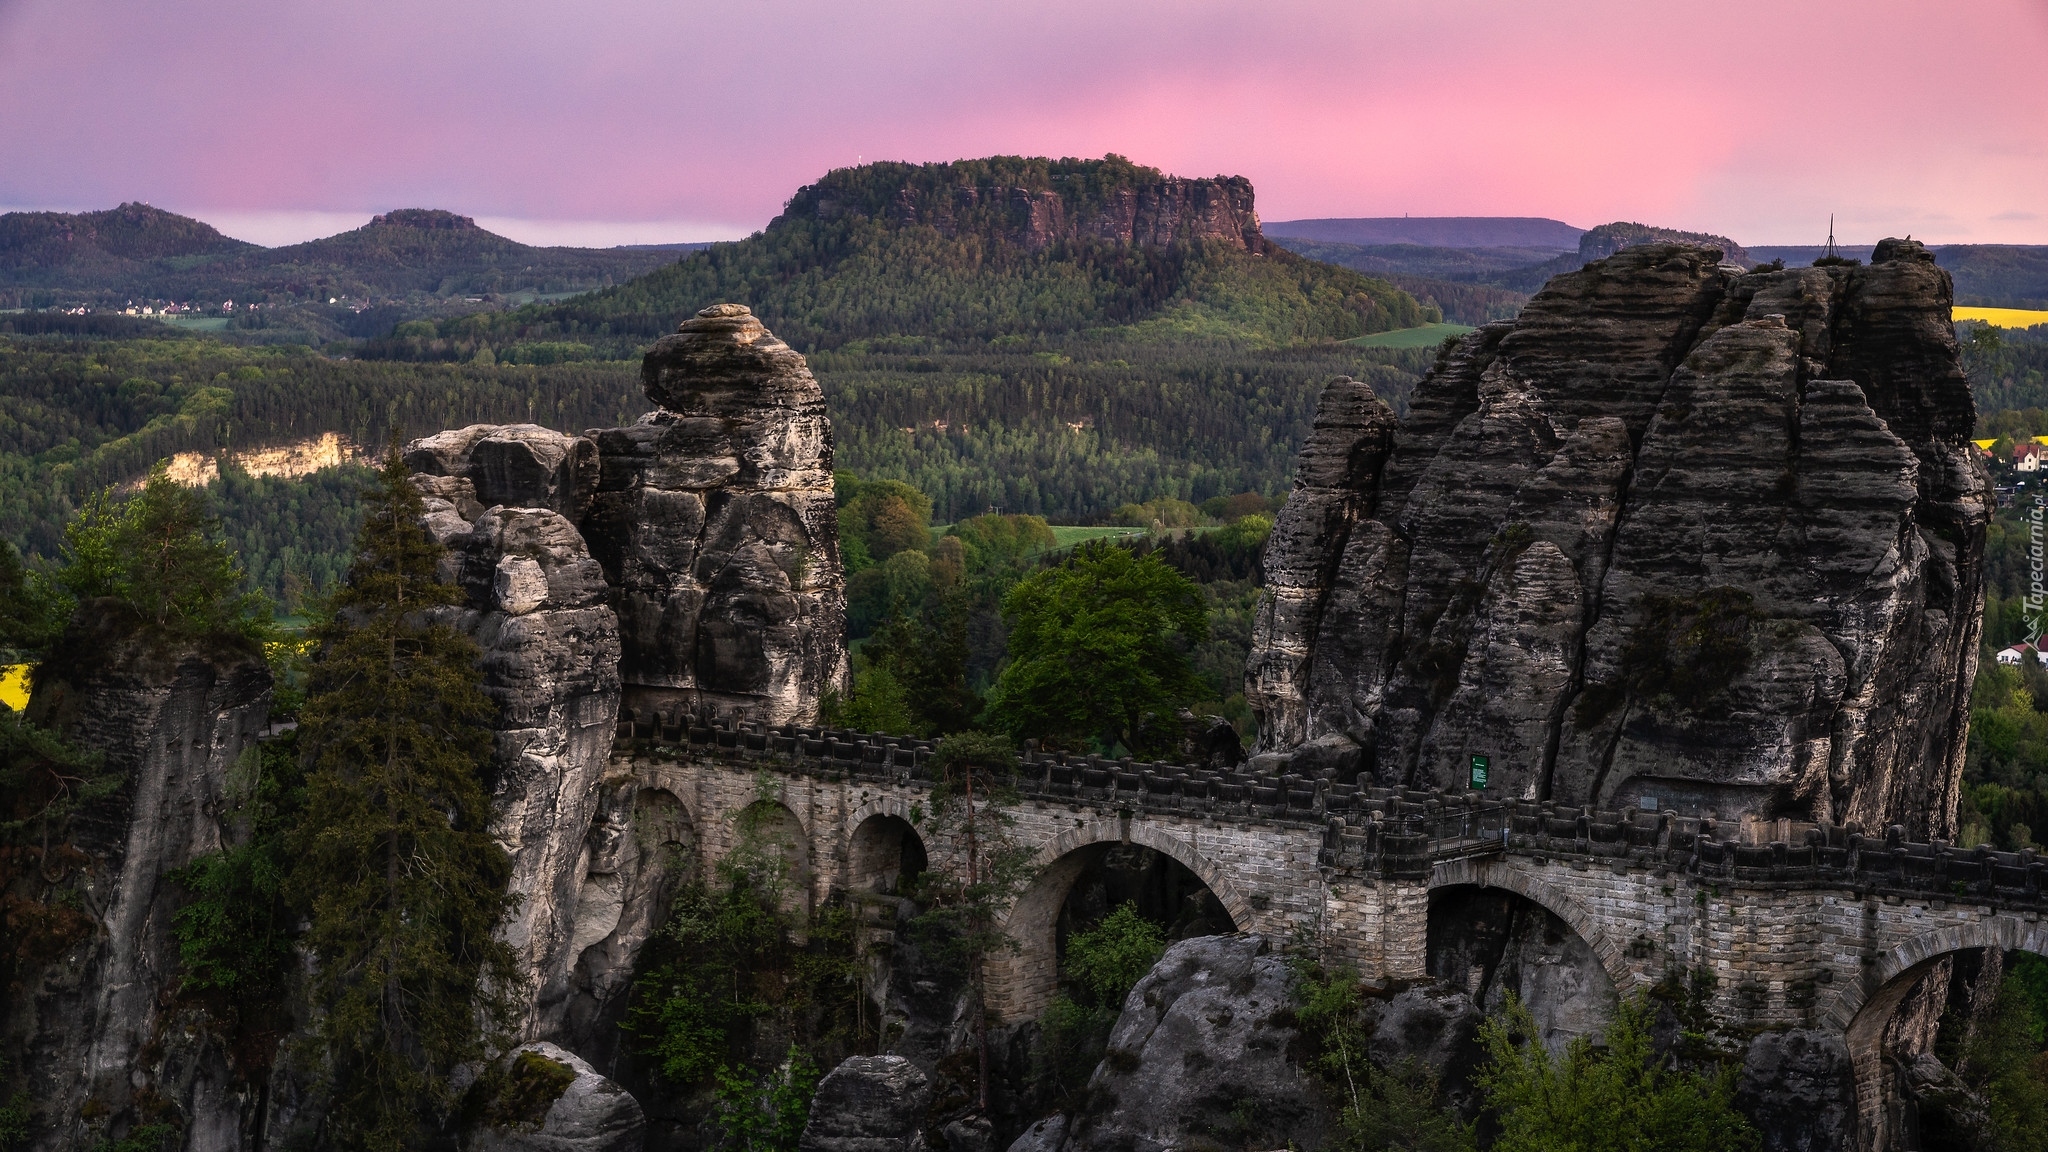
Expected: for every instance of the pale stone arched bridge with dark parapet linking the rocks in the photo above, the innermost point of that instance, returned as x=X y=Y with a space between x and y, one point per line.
x=1801 y=925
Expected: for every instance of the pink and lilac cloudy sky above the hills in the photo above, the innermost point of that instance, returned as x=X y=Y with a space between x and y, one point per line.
x=679 y=120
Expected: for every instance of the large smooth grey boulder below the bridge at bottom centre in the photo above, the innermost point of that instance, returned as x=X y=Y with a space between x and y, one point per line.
x=1201 y=1057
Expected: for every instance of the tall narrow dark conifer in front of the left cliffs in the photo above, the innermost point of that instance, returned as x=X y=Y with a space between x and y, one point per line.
x=394 y=860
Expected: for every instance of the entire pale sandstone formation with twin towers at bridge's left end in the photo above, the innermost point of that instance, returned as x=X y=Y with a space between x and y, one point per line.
x=681 y=567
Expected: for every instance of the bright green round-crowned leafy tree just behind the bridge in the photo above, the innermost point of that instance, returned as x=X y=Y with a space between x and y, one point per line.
x=1097 y=647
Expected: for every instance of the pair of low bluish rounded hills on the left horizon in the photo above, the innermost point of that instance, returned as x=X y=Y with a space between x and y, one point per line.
x=404 y=261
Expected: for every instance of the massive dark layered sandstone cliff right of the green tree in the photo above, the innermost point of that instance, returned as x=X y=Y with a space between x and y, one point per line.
x=1678 y=536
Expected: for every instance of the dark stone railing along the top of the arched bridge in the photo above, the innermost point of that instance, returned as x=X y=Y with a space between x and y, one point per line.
x=1396 y=831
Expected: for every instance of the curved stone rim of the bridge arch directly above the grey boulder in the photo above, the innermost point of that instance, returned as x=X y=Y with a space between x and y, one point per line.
x=1023 y=983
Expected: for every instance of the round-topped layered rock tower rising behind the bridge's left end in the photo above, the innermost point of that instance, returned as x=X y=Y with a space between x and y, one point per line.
x=718 y=530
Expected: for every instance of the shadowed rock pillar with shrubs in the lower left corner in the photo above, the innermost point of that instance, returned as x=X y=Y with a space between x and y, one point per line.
x=93 y=1024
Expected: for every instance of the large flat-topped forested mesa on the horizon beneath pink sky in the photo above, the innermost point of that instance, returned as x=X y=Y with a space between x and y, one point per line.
x=980 y=251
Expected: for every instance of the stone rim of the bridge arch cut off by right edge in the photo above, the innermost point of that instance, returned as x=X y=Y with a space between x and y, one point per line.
x=1865 y=1010
